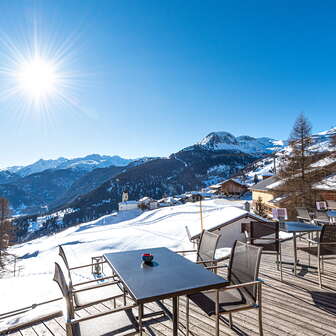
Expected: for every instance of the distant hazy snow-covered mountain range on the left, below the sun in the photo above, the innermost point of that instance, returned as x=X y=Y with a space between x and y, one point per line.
x=86 y=163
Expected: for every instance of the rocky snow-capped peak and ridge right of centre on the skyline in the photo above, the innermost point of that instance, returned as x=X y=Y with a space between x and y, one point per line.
x=226 y=141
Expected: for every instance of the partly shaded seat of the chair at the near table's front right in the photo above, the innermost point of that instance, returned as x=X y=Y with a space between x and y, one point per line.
x=229 y=300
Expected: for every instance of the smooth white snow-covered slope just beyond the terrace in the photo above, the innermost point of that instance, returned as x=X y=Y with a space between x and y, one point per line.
x=116 y=232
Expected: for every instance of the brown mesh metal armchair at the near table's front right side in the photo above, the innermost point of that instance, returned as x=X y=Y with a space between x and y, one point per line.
x=243 y=293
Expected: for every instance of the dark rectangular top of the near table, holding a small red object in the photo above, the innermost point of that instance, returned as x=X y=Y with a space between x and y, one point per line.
x=171 y=274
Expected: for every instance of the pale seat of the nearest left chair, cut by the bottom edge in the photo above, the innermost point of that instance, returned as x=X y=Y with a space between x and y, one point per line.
x=117 y=324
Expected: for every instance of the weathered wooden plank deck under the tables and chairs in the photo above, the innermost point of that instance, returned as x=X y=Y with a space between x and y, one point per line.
x=295 y=306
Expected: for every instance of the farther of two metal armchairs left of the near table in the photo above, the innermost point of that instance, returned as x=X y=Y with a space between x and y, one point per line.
x=107 y=290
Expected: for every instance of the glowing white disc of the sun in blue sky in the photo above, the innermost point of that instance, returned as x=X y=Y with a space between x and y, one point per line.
x=37 y=78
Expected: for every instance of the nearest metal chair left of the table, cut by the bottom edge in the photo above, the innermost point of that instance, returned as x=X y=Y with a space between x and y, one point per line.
x=118 y=321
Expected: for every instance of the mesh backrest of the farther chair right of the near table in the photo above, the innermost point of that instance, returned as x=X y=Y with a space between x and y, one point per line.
x=207 y=247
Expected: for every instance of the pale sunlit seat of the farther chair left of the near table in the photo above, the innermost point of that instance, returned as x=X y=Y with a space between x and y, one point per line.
x=96 y=294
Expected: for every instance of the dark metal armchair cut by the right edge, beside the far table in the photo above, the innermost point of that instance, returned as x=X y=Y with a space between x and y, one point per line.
x=323 y=246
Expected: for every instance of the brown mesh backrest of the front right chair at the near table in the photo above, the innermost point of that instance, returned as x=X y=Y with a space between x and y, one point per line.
x=244 y=267
